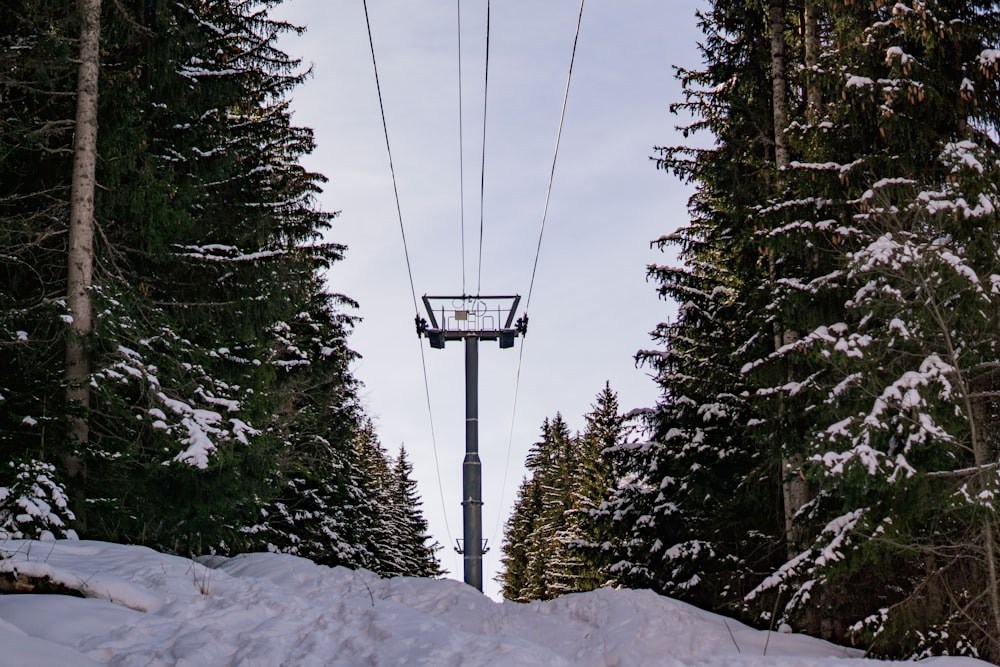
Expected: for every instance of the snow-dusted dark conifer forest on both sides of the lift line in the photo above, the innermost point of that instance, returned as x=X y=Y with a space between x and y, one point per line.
x=824 y=455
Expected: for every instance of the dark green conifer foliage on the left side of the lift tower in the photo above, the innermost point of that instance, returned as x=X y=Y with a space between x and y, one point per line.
x=223 y=410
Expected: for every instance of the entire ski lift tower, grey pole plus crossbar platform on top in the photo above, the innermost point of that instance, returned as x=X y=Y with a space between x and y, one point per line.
x=471 y=318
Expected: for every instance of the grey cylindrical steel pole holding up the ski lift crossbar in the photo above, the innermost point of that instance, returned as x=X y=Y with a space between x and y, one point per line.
x=472 y=479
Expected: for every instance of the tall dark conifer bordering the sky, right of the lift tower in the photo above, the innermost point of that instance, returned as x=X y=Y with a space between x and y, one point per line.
x=699 y=505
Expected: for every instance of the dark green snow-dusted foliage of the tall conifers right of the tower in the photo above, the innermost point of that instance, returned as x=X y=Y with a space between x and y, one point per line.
x=836 y=334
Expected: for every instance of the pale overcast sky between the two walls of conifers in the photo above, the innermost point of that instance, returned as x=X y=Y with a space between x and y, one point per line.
x=591 y=308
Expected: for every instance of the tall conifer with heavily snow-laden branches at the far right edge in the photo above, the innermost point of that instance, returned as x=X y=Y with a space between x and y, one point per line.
x=908 y=393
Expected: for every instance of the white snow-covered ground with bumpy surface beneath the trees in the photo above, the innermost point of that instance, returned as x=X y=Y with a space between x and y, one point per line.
x=145 y=608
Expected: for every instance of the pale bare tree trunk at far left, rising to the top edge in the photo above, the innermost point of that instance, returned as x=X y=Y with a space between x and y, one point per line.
x=80 y=259
